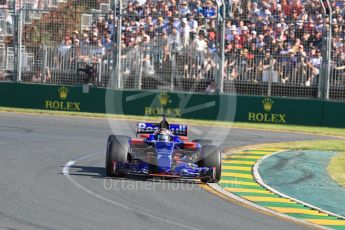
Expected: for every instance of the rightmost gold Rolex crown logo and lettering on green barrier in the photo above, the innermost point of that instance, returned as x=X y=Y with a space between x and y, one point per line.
x=267 y=116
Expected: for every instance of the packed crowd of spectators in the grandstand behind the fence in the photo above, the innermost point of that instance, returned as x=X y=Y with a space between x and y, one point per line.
x=281 y=39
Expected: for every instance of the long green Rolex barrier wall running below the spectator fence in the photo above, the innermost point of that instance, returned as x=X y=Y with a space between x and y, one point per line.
x=182 y=105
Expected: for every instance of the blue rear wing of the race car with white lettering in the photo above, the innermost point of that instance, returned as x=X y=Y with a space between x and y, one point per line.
x=150 y=128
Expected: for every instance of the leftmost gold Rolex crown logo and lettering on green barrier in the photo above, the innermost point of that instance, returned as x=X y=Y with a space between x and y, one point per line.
x=62 y=104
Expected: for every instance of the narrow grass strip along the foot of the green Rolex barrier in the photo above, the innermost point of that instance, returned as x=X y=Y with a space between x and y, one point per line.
x=272 y=127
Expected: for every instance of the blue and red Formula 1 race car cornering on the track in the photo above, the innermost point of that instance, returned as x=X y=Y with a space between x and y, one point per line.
x=163 y=150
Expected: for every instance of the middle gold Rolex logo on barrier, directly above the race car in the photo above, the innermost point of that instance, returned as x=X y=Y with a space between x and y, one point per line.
x=163 y=109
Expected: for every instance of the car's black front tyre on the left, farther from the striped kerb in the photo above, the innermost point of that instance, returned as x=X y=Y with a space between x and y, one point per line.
x=116 y=155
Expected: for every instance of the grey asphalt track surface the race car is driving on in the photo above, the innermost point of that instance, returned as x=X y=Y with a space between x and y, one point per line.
x=35 y=194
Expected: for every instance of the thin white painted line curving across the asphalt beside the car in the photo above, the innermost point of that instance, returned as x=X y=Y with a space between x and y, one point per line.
x=66 y=172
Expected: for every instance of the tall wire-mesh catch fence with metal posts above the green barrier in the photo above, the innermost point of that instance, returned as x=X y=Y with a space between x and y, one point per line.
x=249 y=48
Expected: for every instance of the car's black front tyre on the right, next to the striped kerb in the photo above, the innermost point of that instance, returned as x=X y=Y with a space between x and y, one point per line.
x=211 y=158
